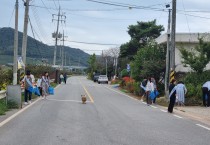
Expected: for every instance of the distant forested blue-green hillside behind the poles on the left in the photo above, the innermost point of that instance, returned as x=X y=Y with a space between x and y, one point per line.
x=36 y=50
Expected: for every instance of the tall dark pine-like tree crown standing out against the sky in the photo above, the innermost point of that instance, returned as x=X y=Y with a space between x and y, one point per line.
x=142 y=31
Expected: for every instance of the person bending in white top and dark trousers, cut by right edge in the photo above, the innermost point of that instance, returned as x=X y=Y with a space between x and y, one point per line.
x=206 y=96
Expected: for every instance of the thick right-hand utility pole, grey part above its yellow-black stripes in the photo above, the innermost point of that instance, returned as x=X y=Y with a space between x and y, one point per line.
x=173 y=36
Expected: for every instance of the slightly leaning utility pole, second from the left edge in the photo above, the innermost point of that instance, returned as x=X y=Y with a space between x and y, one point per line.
x=25 y=30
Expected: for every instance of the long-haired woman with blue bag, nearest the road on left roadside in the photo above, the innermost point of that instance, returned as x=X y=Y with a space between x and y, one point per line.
x=45 y=85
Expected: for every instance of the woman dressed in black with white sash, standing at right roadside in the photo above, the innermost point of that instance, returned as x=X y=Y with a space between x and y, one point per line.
x=172 y=95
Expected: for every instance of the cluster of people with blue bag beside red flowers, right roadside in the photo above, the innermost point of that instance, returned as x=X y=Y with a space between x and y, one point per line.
x=149 y=86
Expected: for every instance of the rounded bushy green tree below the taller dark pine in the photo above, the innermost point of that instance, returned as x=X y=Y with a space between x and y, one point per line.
x=149 y=61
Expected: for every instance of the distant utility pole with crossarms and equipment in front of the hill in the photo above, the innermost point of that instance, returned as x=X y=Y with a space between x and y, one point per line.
x=61 y=18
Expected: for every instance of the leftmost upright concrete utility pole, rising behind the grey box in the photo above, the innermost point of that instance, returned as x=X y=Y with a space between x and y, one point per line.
x=15 y=45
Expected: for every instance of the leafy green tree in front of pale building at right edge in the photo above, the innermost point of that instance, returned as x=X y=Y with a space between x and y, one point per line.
x=198 y=57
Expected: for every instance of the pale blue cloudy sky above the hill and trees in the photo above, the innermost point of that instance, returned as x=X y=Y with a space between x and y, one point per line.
x=91 y=22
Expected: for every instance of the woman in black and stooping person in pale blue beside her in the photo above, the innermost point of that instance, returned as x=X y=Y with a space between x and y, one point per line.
x=177 y=94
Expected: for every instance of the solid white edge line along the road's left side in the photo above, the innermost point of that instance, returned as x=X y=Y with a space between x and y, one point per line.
x=21 y=111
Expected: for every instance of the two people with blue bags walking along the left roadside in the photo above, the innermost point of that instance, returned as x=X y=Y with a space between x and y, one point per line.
x=42 y=83
